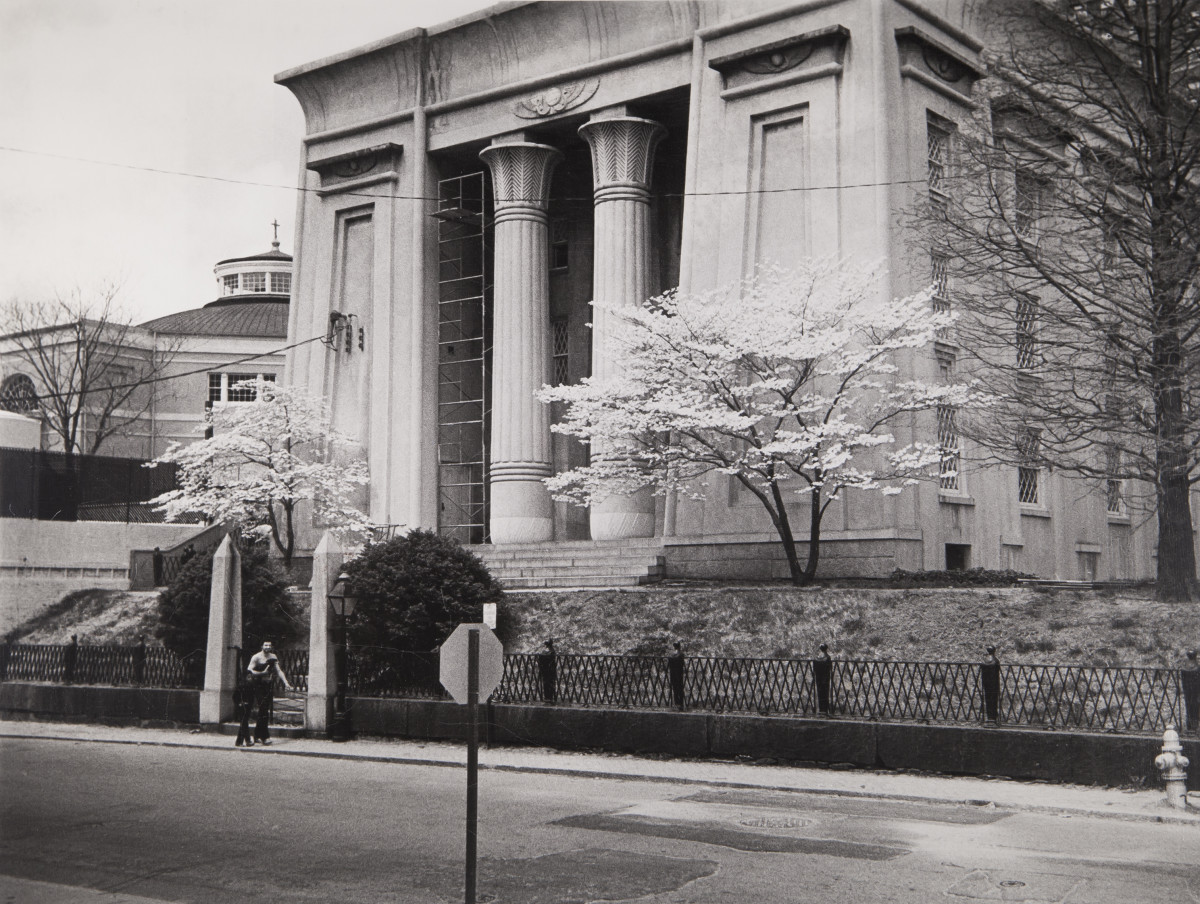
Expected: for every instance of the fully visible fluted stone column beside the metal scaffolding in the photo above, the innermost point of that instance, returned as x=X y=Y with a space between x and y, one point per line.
x=521 y=510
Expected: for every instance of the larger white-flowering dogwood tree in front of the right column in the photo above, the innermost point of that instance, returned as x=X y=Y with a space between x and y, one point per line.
x=788 y=381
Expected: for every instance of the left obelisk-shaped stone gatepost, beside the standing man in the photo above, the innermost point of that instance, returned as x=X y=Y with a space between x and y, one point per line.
x=225 y=636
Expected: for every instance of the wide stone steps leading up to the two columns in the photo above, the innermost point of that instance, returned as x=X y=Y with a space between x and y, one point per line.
x=583 y=564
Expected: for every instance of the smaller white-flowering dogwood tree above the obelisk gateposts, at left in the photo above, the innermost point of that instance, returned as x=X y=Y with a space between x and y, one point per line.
x=265 y=458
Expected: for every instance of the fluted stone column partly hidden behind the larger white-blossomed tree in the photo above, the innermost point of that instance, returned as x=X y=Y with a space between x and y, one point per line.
x=622 y=158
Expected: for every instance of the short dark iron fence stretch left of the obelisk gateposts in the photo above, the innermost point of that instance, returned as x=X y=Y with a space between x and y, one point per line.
x=136 y=664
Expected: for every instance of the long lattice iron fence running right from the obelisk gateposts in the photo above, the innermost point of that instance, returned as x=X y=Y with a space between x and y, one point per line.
x=1076 y=698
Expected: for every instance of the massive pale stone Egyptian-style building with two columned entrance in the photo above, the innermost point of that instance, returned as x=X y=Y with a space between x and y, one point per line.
x=471 y=189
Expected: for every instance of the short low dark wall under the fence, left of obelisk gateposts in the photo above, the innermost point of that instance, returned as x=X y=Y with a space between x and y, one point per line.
x=81 y=703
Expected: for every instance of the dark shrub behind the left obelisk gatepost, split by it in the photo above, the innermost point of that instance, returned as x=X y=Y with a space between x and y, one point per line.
x=266 y=606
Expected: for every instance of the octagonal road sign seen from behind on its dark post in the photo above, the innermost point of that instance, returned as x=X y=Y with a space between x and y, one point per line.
x=472 y=664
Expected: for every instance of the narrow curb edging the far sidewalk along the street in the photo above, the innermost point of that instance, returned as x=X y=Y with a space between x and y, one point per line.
x=1192 y=818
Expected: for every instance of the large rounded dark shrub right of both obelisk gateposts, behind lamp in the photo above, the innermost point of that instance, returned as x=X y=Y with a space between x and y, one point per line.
x=413 y=591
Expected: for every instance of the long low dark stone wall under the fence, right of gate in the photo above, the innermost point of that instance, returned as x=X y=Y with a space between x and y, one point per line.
x=1079 y=758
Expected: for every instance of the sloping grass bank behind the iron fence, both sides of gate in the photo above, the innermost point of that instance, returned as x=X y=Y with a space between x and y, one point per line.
x=1027 y=625
